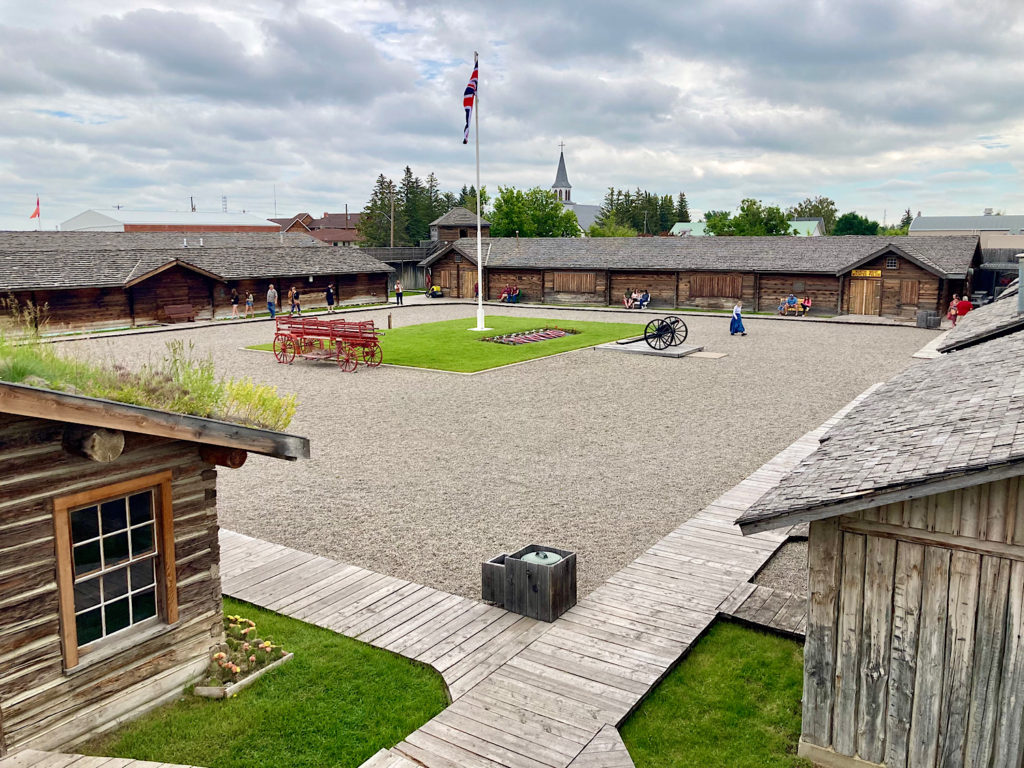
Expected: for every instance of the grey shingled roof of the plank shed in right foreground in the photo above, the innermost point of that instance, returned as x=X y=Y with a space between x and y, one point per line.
x=947 y=419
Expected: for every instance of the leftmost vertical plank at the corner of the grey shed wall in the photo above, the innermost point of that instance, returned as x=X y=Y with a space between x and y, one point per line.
x=825 y=556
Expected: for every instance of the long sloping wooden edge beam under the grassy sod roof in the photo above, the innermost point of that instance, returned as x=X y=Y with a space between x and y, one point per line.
x=75 y=409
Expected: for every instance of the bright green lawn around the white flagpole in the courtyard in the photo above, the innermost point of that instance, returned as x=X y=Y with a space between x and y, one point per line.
x=450 y=347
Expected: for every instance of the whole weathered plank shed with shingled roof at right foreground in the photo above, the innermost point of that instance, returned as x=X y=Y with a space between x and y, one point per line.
x=915 y=647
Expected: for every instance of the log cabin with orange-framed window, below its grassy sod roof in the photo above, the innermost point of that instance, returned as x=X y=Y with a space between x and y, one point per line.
x=110 y=585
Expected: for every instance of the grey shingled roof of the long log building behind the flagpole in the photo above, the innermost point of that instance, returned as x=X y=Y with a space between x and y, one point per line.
x=947 y=257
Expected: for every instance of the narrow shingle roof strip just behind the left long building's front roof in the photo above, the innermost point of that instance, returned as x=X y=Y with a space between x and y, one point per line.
x=55 y=241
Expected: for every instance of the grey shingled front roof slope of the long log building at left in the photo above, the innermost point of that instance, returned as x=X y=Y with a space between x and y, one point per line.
x=29 y=271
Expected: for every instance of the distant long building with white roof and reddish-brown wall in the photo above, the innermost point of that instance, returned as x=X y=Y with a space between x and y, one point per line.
x=166 y=222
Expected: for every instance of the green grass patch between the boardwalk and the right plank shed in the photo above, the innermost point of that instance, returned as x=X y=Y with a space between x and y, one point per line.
x=734 y=703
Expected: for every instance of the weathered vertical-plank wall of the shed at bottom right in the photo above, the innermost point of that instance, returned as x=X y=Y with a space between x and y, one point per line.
x=915 y=653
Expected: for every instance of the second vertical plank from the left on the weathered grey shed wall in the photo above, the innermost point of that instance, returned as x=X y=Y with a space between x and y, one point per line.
x=848 y=634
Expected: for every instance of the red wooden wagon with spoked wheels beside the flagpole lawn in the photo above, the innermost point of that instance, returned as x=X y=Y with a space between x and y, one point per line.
x=347 y=343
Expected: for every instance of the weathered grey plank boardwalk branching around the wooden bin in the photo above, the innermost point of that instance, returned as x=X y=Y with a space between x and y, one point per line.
x=525 y=694
